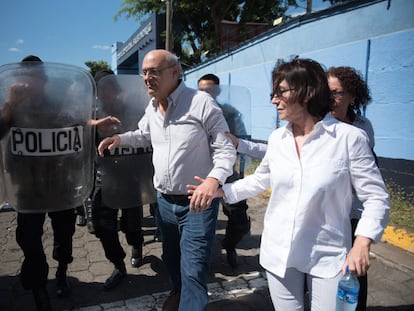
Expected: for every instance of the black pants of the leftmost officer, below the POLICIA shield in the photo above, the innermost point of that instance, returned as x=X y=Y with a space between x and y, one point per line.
x=29 y=231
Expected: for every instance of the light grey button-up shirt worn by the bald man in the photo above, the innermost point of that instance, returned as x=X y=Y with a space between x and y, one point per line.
x=189 y=141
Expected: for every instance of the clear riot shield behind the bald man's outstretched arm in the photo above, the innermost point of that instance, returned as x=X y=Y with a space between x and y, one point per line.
x=125 y=174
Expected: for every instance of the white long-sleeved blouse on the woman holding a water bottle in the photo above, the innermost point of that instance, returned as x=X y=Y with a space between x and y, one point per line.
x=307 y=224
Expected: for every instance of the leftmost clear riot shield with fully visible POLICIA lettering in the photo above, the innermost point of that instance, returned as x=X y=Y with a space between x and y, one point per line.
x=46 y=137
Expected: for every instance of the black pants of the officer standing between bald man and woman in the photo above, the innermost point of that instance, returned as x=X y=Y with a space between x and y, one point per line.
x=238 y=223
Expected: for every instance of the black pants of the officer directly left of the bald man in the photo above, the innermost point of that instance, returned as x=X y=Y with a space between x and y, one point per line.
x=105 y=223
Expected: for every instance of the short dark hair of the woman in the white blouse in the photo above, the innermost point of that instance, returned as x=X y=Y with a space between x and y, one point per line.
x=308 y=78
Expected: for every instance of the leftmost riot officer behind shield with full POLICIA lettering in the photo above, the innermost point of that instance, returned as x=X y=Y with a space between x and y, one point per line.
x=47 y=157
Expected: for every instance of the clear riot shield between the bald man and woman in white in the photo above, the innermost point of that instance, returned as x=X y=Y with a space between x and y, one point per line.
x=235 y=103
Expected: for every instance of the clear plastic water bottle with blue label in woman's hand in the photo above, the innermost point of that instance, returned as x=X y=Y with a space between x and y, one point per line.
x=347 y=295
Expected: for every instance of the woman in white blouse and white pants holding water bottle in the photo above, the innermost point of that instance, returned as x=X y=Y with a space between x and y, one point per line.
x=311 y=166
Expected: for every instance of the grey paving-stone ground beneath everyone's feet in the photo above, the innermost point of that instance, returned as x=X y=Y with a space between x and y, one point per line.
x=391 y=276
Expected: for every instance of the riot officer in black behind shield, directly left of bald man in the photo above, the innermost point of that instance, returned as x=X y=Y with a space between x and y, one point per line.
x=114 y=183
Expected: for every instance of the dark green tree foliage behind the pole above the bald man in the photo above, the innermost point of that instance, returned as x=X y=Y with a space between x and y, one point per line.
x=196 y=24
